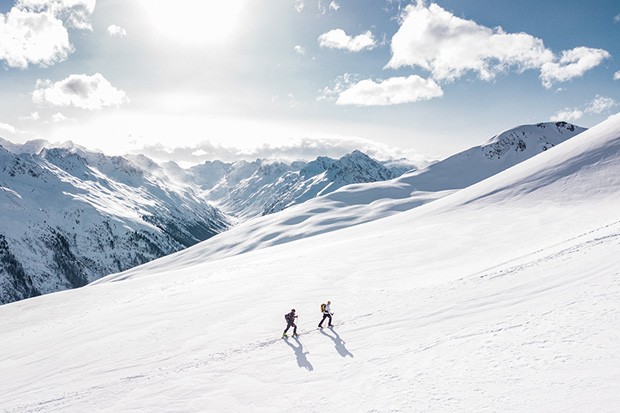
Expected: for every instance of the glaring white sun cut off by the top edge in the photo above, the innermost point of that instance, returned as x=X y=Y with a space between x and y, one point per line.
x=194 y=22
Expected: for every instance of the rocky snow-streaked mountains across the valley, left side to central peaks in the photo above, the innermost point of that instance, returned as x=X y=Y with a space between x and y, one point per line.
x=71 y=216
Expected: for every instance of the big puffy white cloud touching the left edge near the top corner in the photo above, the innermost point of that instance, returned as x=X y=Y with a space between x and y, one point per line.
x=32 y=38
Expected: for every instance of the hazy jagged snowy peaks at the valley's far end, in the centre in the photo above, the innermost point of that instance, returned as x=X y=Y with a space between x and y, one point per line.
x=249 y=189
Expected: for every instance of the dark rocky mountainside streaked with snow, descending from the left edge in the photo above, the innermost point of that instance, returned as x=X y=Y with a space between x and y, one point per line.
x=70 y=216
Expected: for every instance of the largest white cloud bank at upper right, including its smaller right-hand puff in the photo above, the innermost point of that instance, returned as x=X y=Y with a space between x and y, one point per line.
x=450 y=47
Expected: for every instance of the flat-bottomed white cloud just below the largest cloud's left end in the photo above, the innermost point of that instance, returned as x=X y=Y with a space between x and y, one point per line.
x=393 y=91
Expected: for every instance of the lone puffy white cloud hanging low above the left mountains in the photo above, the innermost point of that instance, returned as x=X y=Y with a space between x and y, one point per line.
x=82 y=91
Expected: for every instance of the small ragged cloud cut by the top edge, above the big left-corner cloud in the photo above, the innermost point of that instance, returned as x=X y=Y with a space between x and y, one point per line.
x=76 y=13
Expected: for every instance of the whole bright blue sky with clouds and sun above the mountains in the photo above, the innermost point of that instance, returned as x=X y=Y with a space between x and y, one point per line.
x=197 y=80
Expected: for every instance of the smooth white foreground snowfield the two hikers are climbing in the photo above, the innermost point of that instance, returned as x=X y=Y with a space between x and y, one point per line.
x=502 y=296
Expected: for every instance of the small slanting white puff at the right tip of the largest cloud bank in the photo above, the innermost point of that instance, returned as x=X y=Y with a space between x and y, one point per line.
x=573 y=63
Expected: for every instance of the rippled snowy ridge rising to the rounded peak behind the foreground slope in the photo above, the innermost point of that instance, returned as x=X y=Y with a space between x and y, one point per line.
x=358 y=203
